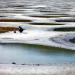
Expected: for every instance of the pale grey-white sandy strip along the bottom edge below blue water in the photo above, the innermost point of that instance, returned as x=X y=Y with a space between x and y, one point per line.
x=53 y=69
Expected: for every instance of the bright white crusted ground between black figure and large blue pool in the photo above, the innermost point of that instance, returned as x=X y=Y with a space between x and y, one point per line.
x=47 y=38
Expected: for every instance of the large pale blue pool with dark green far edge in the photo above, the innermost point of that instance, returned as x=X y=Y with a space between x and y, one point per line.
x=30 y=54
